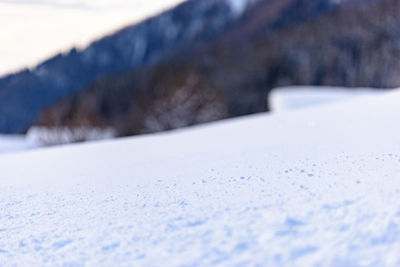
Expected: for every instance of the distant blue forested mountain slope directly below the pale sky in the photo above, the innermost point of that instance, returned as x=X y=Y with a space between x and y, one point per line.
x=25 y=94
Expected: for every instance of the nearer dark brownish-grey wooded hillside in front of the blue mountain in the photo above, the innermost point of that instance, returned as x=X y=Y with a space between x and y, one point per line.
x=272 y=44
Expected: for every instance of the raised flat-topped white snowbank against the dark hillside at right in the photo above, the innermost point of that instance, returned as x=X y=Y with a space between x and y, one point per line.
x=296 y=97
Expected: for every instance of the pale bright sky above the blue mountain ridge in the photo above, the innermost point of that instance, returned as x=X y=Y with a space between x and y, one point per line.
x=32 y=30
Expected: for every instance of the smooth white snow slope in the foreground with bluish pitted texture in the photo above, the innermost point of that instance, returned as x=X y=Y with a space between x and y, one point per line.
x=316 y=187
